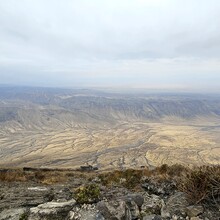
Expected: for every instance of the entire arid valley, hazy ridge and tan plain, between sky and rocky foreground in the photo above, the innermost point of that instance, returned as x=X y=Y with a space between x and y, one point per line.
x=68 y=128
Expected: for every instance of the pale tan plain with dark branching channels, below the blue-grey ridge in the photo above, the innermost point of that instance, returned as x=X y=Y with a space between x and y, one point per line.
x=128 y=144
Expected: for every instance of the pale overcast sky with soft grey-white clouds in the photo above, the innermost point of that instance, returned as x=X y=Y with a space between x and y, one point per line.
x=152 y=44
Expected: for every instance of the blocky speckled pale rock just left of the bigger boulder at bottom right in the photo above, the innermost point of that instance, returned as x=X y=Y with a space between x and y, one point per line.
x=152 y=204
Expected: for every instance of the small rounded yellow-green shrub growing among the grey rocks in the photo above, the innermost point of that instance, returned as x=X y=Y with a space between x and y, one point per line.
x=87 y=194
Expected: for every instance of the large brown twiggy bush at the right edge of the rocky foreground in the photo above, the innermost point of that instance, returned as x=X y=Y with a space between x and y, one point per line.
x=202 y=184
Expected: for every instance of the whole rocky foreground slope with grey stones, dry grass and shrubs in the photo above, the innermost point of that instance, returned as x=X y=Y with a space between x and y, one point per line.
x=128 y=195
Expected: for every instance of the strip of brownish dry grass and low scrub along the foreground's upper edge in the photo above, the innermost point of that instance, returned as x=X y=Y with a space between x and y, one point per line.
x=129 y=178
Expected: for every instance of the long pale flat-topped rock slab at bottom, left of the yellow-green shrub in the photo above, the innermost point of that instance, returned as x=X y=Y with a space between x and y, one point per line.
x=51 y=210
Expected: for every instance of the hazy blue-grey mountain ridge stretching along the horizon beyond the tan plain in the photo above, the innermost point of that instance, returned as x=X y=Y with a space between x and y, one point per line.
x=106 y=106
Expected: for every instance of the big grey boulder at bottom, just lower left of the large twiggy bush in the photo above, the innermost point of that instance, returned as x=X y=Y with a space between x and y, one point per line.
x=175 y=205
